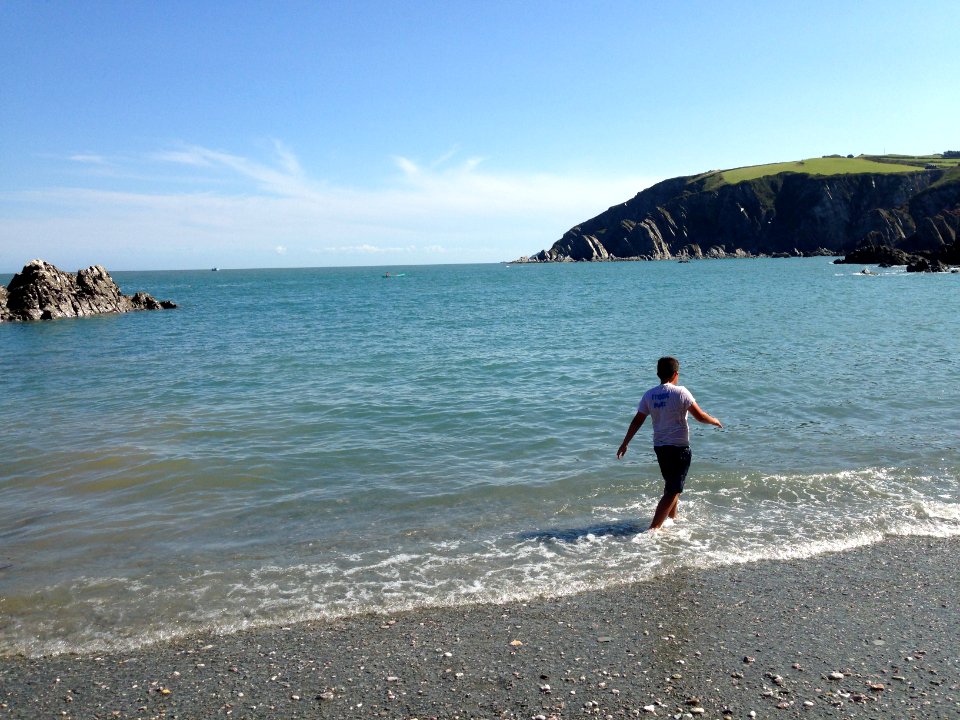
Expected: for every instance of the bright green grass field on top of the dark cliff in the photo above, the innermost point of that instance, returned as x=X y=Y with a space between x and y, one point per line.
x=833 y=165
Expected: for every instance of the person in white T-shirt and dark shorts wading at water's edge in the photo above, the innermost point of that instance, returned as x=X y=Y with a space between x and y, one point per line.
x=668 y=404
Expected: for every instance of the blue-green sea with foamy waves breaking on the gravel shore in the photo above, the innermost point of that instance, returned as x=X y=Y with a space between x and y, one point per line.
x=311 y=444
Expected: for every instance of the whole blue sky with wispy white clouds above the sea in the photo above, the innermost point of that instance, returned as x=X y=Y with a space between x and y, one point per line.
x=168 y=135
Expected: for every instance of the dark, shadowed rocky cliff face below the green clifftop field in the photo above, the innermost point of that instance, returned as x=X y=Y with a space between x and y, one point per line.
x=790 y=213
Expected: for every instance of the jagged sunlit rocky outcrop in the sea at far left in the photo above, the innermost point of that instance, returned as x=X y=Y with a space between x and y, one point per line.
x=41 y=291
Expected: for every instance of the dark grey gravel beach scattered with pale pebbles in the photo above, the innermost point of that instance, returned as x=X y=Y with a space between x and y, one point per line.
x=868 y=633
